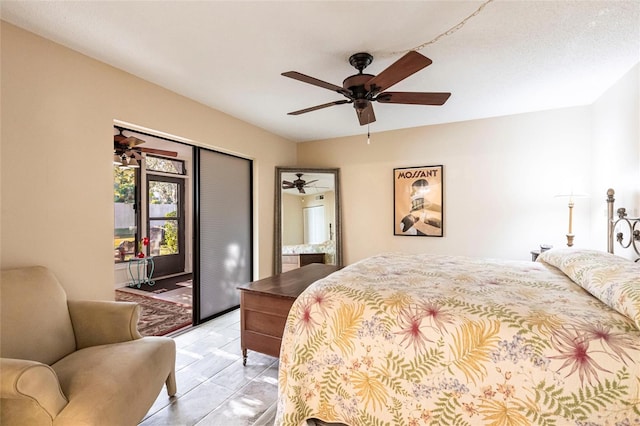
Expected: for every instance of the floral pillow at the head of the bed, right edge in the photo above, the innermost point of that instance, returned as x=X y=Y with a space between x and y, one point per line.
x=612 y=279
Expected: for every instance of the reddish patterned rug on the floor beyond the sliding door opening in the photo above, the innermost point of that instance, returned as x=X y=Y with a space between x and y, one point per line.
x=157 y=317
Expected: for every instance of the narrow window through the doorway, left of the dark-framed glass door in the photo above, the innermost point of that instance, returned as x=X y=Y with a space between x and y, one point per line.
x=125 y=235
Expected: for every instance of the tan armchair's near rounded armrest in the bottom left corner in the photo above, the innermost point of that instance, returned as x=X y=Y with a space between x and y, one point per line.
x=32 y=380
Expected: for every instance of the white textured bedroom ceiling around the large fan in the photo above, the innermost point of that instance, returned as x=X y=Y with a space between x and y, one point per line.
x=513 y=57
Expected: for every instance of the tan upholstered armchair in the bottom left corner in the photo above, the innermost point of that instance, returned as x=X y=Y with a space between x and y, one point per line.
x=68 y=362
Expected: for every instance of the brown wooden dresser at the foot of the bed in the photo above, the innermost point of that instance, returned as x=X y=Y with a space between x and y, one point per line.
x=265 y=304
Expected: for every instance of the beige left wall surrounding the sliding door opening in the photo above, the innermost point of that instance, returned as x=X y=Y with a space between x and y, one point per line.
x=58 y=110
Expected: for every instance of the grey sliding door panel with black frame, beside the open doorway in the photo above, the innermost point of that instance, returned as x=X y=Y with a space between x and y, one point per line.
x=223 y=227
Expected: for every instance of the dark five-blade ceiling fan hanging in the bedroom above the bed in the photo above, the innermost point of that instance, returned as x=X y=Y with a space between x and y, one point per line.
x=363 y=89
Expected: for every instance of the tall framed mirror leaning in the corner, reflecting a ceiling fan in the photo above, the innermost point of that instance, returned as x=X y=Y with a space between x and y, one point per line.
x=307 y=218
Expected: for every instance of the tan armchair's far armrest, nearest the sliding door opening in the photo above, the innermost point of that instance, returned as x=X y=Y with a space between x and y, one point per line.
x=102 y=322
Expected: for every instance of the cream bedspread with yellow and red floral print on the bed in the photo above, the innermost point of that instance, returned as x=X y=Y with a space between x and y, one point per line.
x=438 y=340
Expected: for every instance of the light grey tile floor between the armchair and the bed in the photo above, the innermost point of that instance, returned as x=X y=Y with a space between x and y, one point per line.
x=214 y=388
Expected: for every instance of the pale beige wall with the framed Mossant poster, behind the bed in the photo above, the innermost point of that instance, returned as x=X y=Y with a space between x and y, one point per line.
x=500 y=177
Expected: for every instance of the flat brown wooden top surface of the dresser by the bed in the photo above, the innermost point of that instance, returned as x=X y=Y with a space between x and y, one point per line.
x=290 y=284
